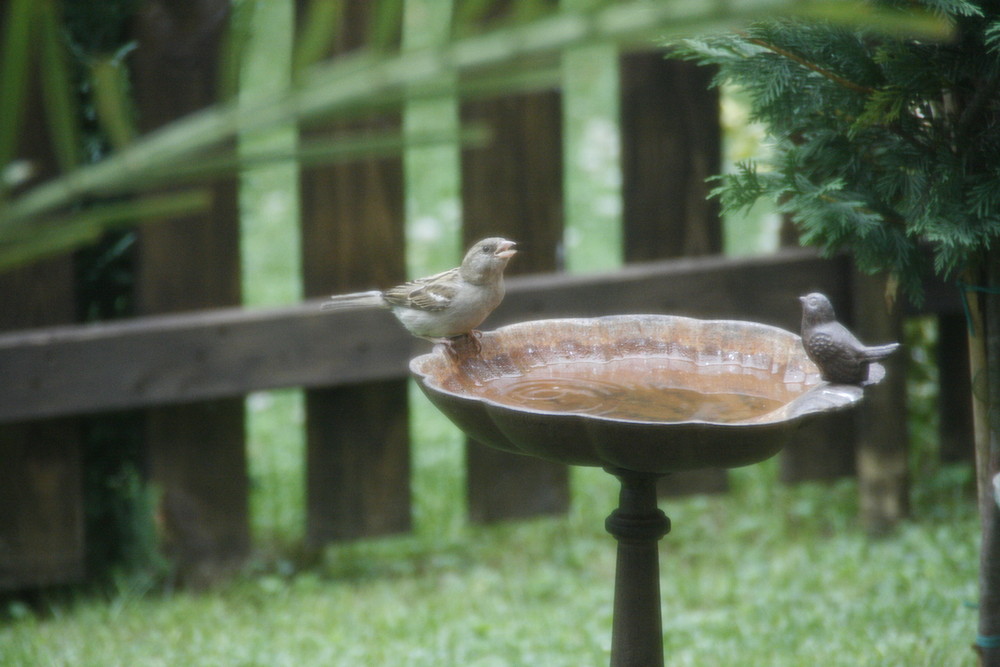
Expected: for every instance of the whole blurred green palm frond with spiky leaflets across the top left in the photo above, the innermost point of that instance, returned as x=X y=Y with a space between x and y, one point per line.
x=41 y=220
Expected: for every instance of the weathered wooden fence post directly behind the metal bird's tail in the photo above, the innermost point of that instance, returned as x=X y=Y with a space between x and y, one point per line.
x=882 y=448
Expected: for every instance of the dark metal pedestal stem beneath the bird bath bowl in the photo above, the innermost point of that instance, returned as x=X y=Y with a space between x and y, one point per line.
x=637 y=524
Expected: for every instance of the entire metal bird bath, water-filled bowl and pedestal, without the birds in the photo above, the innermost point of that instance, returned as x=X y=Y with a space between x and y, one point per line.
x=641 y=396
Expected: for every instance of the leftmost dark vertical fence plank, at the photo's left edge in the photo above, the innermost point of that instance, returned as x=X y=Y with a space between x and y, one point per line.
x=41 y=495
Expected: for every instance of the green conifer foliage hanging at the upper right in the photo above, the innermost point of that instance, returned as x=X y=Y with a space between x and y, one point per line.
x=887 y=146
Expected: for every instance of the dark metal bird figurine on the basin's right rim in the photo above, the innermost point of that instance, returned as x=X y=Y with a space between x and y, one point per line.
x=840 y=356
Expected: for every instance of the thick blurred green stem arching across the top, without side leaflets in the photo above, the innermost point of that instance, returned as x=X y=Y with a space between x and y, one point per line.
x=348 y=84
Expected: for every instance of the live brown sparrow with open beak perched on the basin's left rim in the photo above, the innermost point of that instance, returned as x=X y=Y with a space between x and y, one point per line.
x=447 y=305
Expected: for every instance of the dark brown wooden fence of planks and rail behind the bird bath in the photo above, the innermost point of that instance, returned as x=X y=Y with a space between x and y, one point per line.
x=188 y=360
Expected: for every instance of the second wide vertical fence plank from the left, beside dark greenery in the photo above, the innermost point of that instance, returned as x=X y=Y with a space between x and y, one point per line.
x=197 y=451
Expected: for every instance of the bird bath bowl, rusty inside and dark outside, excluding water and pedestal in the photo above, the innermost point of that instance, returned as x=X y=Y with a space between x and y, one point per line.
x=657 y=447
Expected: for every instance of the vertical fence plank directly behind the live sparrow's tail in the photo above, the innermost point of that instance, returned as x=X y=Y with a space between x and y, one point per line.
x=358 y=460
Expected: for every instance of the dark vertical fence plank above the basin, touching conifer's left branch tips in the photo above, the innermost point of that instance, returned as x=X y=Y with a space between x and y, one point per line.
x=671 y=142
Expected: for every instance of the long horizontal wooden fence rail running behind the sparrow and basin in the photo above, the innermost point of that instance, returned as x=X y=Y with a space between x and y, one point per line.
x=188 y=357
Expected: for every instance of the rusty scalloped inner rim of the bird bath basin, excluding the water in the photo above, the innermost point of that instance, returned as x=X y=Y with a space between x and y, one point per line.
x=717 y=344
